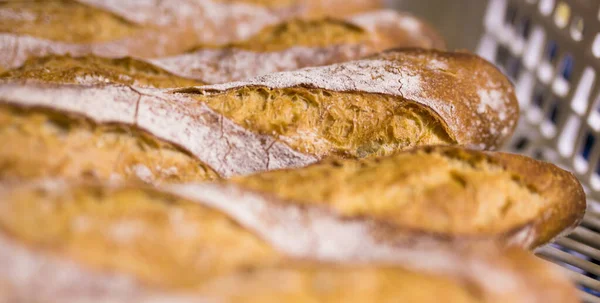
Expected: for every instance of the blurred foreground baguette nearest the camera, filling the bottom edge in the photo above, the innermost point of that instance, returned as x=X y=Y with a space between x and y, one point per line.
x=129 y=244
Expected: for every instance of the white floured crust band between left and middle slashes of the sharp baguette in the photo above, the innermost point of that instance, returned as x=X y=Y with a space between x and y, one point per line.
x=227 y=148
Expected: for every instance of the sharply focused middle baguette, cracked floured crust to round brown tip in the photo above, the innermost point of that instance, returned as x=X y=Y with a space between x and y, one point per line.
x=408 y=82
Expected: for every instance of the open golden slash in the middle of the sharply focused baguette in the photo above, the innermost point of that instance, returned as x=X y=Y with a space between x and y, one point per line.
x=322 y=122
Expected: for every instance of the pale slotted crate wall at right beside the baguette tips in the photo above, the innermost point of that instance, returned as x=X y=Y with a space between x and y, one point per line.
x=551 y=50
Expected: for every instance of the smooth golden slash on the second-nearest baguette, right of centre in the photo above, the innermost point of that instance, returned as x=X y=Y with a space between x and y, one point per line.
x=455 y=193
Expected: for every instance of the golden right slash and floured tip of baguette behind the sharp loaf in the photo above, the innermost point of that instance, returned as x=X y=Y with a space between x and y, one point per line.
x=377 y=30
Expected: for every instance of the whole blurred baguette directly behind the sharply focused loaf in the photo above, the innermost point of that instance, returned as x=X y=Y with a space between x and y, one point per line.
x=290 y=45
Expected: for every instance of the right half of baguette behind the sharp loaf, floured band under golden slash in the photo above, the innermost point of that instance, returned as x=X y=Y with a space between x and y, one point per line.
x=302 y=43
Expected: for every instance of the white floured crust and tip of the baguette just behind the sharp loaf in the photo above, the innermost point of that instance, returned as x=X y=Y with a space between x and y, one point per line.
x=384 y=28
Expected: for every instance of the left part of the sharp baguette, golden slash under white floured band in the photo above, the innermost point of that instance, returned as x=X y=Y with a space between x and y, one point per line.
x=140 y=134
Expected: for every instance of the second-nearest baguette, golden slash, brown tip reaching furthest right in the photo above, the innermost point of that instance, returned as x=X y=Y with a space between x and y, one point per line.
x=439 y=194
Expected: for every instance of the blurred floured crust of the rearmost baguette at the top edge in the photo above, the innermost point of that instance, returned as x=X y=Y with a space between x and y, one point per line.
x=221 y=22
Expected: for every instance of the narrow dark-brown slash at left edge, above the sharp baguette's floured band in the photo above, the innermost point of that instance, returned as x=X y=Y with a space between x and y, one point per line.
x=92 y=70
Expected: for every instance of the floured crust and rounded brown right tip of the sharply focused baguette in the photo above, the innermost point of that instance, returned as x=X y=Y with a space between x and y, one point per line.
x=474 y=100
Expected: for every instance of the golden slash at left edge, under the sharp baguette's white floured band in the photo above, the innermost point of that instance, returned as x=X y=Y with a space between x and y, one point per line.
x=44 y=143
